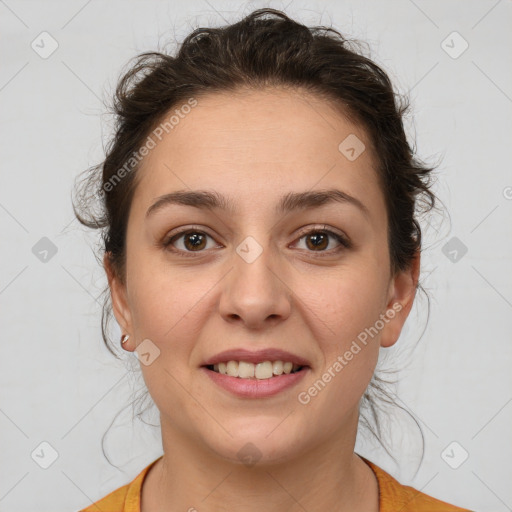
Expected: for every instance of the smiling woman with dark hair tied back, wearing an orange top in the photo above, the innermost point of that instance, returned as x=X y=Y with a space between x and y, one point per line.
x=261 y=245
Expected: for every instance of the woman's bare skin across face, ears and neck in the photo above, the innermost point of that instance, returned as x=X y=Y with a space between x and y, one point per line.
x=255 y=146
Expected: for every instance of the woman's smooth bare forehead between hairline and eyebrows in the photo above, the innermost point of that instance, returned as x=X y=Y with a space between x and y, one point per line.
x=258 y=143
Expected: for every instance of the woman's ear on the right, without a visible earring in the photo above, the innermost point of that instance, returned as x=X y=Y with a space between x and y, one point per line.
x=402 y=290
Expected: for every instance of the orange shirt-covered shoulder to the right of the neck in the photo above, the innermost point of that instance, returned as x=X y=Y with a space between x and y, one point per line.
x=395 y=496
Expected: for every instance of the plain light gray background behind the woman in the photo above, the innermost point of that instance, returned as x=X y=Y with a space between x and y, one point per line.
x=60 y=386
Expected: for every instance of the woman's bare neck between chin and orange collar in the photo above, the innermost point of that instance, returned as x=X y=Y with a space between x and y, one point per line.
x=328 y=476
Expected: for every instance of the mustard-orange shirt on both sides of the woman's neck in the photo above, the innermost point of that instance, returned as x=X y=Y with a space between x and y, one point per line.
x=393 y=496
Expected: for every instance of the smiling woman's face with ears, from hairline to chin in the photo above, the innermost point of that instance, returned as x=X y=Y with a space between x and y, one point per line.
x=252 y=278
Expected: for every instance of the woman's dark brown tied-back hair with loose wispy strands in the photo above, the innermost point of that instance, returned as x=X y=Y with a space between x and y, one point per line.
x=265 y=48
